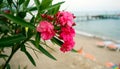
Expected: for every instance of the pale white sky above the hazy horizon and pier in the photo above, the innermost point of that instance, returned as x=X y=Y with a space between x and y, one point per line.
x=90 y=5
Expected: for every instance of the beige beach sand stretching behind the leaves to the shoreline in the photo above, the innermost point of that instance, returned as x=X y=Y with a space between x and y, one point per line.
x=69 y=60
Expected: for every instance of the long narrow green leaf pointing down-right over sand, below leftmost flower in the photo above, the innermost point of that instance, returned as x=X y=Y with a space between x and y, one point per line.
x=43 y=50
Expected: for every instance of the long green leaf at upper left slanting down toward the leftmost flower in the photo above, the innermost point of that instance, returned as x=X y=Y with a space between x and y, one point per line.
x=19 y=21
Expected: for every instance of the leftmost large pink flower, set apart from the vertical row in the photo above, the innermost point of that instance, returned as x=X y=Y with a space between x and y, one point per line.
x=46 y=29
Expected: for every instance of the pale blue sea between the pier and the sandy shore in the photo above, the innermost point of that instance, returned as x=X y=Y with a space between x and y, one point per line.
x=103 y=28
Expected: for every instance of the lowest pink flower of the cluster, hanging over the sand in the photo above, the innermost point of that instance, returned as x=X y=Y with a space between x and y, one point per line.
x=67 y=46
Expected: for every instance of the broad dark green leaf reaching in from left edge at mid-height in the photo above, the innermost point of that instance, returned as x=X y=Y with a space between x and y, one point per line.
x=8 y=41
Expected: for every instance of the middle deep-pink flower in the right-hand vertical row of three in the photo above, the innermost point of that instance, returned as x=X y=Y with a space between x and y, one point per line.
x=67 y=33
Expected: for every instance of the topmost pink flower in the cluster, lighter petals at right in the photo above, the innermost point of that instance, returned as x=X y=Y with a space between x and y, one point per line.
x=65 y=18
